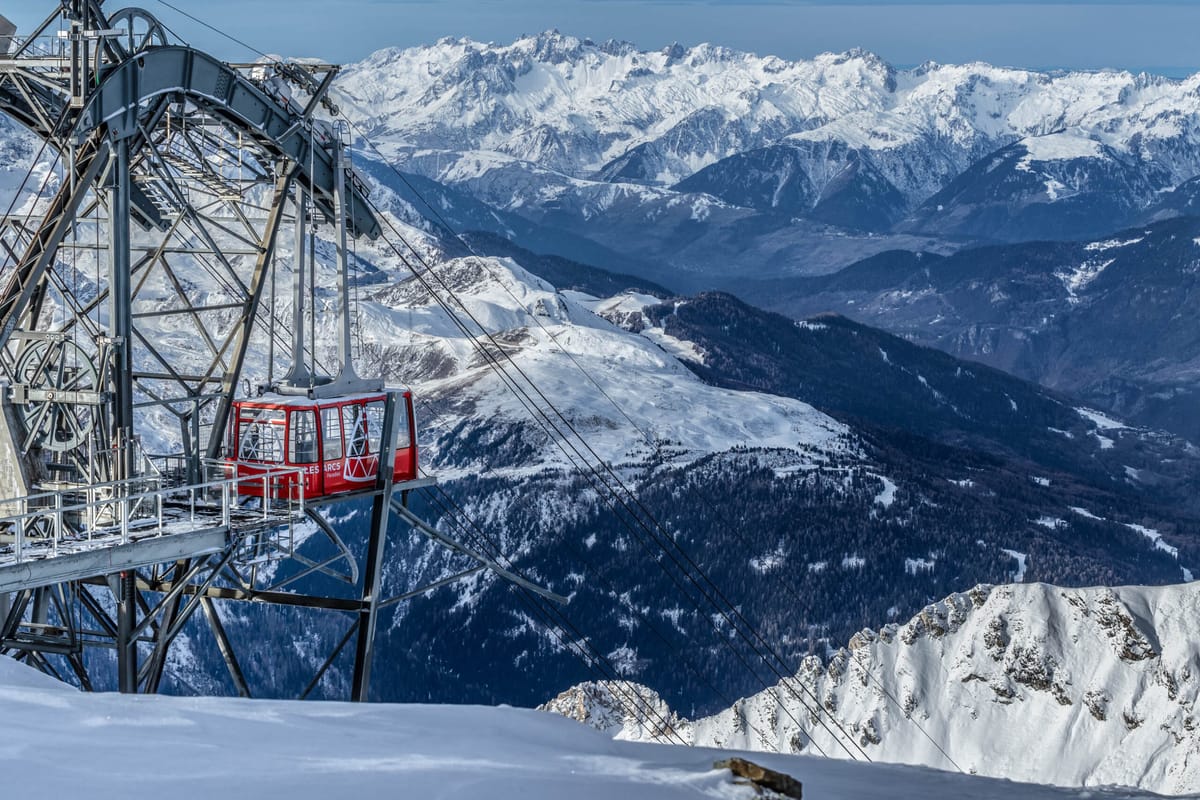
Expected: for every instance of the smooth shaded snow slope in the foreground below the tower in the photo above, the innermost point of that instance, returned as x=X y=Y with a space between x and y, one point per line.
x=62 y=743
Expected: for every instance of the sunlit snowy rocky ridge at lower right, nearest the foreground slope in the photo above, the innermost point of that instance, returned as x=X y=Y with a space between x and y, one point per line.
x=1106 y=682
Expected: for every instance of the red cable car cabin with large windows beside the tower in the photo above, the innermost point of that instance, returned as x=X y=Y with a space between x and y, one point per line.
x=335 y=441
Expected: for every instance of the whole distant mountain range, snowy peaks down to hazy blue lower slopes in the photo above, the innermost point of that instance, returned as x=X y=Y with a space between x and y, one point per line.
x=709 y=159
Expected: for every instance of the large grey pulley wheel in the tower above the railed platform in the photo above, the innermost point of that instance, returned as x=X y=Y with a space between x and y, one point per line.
x=52 y=376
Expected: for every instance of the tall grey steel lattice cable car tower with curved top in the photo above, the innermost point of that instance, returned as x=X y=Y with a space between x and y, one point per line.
x=131 y=294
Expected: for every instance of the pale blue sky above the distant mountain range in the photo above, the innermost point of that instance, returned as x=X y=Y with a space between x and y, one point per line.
x=1159 y=37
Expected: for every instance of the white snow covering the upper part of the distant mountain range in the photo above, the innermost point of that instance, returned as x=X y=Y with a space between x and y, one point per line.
x=483 y=113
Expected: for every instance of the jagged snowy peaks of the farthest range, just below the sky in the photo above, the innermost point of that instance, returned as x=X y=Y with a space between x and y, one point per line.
x=607 y=100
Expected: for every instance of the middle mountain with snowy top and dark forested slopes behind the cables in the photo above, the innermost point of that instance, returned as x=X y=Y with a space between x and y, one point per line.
x=863 y=521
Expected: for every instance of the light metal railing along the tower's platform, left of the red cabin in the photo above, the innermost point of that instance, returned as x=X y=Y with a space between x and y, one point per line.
x=106 y=515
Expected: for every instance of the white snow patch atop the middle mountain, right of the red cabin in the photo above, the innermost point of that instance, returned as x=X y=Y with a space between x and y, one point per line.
x=563 y=347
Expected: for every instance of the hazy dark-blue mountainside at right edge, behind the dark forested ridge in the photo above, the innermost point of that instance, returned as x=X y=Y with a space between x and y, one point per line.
x=1108 y=321
